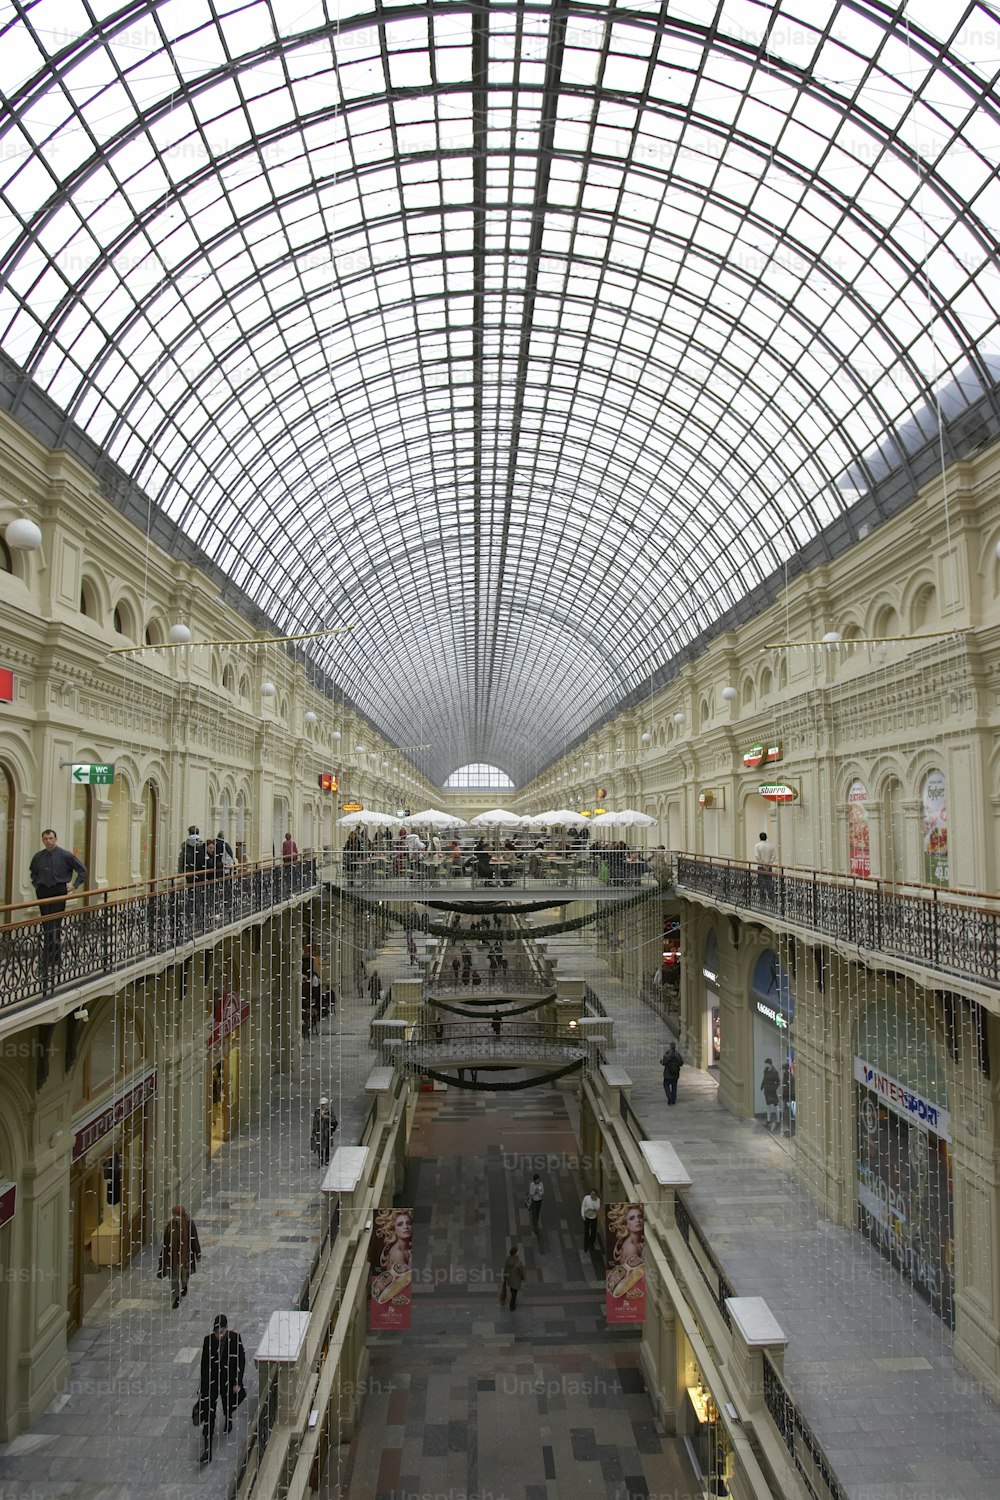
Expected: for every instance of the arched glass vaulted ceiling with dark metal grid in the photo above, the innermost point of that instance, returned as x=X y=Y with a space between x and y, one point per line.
x=530 y=338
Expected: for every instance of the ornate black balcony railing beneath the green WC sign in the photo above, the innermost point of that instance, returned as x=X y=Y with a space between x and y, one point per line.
x=106 y=932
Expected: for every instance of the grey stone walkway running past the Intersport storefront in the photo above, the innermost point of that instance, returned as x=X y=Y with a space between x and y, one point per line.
x=869 y=1363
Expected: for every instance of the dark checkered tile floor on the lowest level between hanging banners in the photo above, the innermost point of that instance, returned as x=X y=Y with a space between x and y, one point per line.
x=543 y=1403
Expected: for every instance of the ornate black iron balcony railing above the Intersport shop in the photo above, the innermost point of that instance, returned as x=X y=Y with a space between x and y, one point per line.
x=954 y=932
